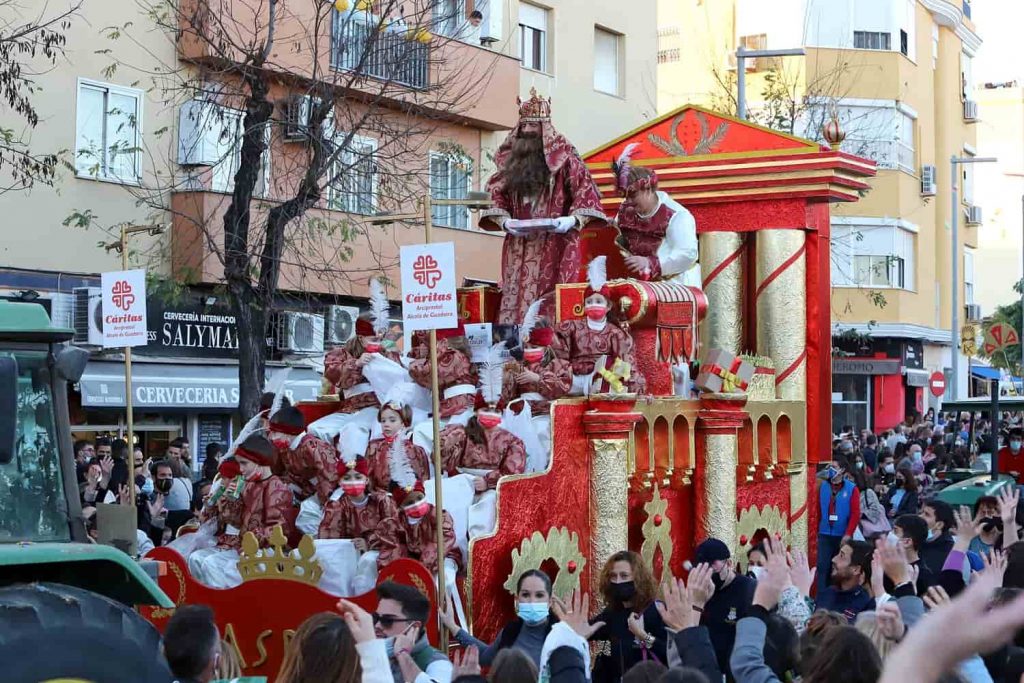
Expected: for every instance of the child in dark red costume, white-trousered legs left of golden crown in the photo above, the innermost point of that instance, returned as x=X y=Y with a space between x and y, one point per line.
x=267 y=502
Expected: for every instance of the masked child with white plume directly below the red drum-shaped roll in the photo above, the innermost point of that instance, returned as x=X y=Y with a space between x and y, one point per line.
x=601 y=352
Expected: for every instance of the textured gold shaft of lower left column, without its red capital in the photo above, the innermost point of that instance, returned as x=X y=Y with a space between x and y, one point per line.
x=610 y=493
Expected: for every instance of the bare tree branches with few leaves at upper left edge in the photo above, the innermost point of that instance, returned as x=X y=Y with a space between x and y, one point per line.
x=30 y=40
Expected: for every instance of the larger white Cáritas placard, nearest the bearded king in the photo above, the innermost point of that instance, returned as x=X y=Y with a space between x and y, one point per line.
x=429 y=296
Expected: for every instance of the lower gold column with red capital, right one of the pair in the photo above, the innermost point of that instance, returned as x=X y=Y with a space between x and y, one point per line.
x=719 y=421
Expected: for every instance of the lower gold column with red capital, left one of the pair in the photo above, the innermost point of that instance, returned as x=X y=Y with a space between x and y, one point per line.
x=609 y=426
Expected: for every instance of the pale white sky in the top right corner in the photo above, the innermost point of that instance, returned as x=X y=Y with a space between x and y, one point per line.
x=999 y=24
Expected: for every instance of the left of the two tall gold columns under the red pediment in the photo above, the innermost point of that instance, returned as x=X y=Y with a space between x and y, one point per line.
x=722 y=275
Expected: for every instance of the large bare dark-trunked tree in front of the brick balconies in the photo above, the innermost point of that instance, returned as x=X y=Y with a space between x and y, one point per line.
x=309 y=104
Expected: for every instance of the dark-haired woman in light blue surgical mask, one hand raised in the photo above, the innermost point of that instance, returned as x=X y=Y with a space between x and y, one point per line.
x=527 y=632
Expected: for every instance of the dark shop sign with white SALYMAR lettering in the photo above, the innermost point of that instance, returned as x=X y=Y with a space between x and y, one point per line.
x=190 y=329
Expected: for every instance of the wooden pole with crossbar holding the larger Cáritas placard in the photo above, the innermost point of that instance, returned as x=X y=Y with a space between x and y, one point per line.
x=473 y=201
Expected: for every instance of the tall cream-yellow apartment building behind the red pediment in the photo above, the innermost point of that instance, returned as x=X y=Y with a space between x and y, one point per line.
x=898 y=74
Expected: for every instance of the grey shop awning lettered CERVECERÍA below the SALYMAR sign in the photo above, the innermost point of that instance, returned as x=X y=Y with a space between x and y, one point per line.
x=167 y=386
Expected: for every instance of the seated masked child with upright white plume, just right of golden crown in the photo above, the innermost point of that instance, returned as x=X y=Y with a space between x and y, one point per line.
x=349 y=543
